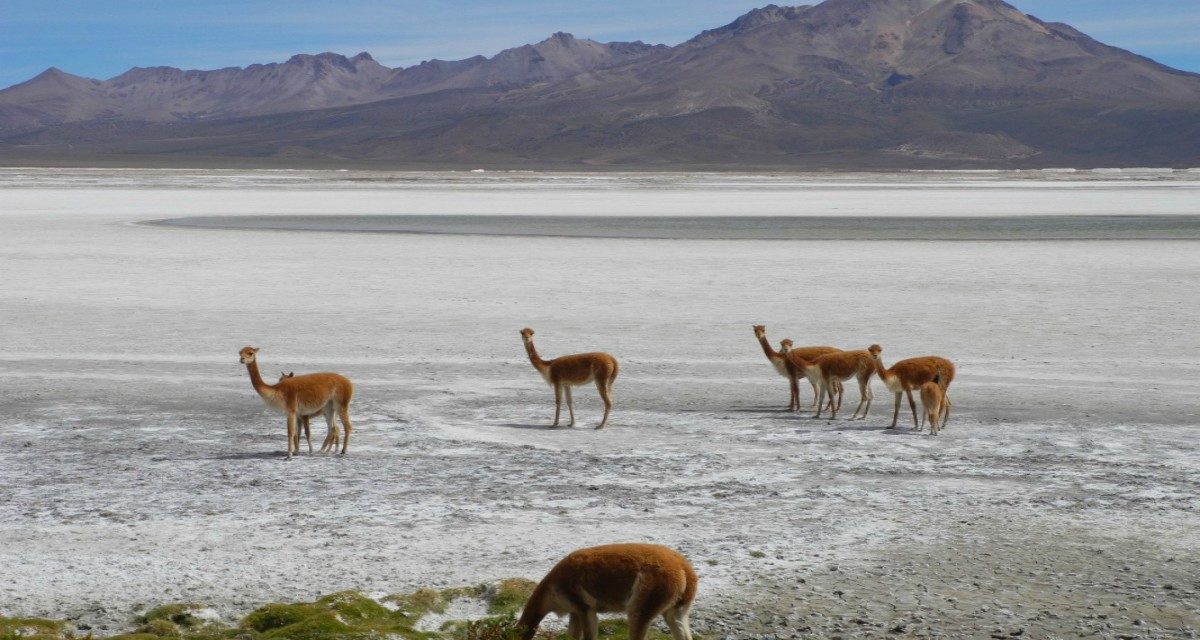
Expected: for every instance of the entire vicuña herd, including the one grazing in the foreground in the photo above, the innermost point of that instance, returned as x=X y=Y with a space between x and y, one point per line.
x=641 y=581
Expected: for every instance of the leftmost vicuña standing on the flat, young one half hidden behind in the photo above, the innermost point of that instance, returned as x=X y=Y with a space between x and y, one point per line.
x=304 y=396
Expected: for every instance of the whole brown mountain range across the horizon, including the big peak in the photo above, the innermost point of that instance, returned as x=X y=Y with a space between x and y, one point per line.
x=841 y=85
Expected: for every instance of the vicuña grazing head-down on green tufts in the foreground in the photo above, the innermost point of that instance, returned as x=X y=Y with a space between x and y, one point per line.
x=643 y=581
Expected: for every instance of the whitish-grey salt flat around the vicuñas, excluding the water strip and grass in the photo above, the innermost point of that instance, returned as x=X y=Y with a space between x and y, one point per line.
x=139 y=466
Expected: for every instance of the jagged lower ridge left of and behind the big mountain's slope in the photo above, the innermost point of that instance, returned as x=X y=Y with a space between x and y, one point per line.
x=303 y=83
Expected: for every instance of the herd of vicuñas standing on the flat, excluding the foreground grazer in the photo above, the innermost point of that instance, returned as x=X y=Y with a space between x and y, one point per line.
x=302 y=398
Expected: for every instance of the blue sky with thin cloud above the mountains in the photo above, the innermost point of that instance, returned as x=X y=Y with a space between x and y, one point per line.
x=101 y=39
